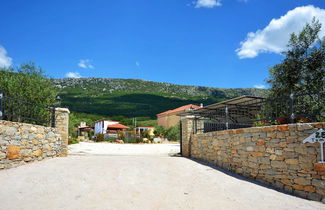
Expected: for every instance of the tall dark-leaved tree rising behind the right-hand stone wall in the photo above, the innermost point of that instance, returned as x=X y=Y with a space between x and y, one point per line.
x=302 y=70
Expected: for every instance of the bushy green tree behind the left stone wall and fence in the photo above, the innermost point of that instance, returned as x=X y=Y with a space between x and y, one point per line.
x=29 y=84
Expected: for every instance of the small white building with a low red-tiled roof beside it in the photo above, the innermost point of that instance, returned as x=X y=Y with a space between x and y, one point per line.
x=112 y=128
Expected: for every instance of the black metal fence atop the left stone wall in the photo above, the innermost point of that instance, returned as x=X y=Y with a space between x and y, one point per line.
x=18 y=110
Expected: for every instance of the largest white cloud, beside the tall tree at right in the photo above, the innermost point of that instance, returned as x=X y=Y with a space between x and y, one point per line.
x=275 y=36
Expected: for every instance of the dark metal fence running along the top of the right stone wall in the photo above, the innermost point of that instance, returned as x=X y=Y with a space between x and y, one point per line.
x=257 y=111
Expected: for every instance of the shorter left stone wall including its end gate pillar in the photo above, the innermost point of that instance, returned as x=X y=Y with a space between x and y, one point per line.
x=21 y=142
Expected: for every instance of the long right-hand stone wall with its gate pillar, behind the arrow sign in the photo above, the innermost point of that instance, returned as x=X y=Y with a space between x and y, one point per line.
x=274 y=155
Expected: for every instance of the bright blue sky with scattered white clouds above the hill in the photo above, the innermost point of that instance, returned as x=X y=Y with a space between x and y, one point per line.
x=228 y=43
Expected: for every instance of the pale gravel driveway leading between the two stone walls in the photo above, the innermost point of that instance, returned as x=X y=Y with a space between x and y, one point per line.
x=134 y=182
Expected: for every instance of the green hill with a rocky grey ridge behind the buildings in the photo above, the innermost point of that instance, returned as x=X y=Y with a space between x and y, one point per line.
x=137 y=98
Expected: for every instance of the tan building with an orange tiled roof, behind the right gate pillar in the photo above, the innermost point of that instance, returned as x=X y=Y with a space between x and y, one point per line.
x=170 y=118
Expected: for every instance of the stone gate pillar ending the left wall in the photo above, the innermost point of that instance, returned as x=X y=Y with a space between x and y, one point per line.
x=62 y=128
